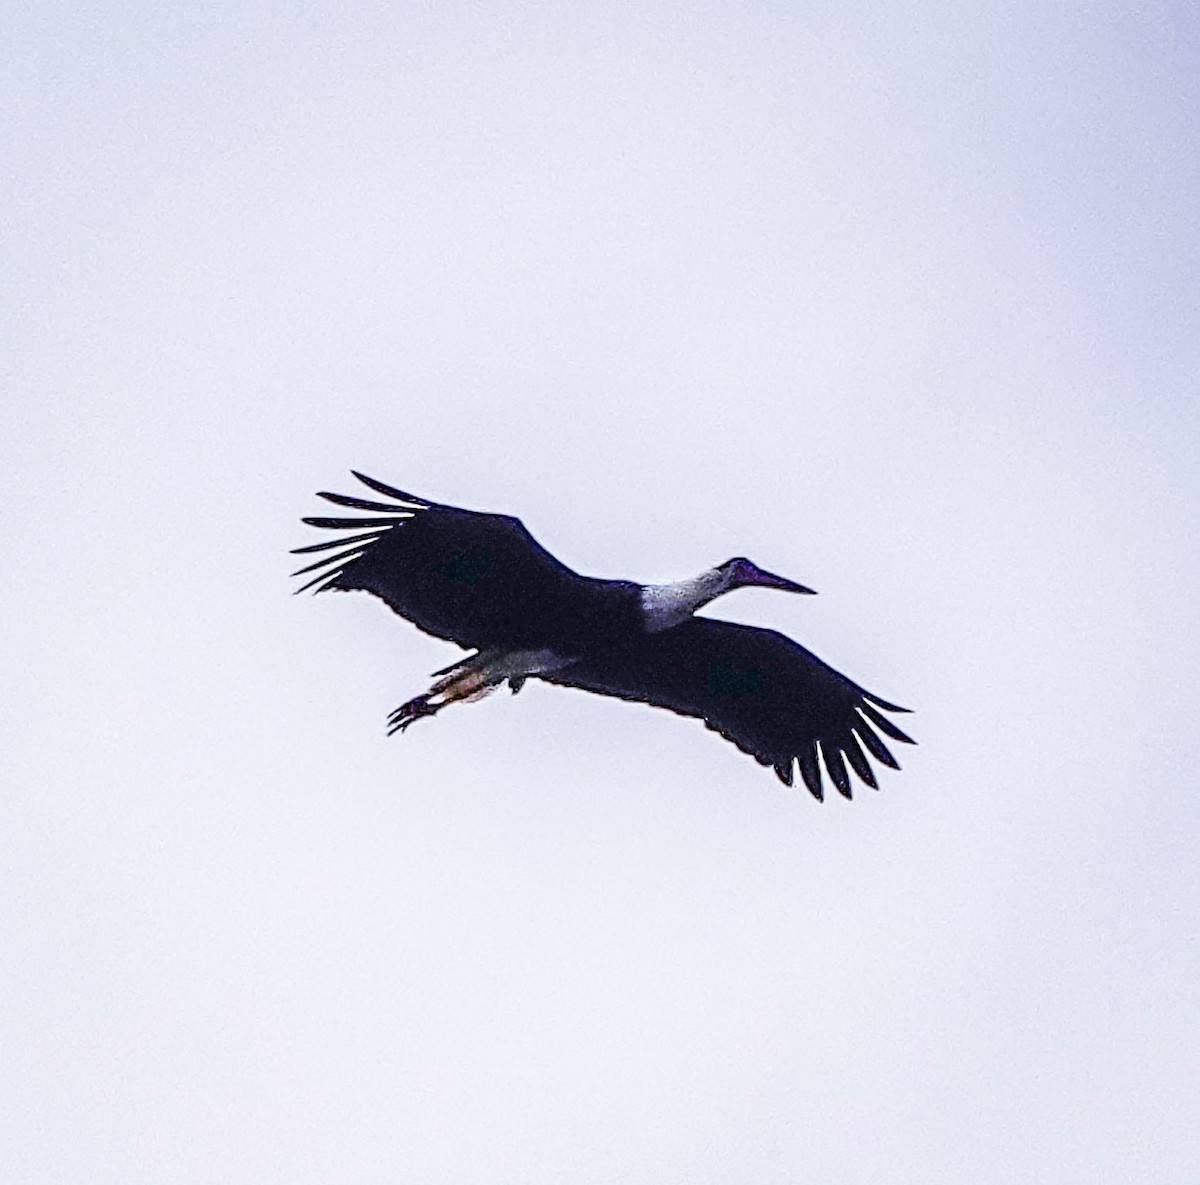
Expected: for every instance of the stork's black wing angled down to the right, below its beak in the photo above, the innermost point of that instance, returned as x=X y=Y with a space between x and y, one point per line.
x=758 y=689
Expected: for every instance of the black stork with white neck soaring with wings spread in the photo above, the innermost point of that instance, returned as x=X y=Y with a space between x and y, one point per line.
x=485 y=584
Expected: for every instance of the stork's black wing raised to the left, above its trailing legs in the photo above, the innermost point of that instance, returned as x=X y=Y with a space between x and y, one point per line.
x=472 y=579
